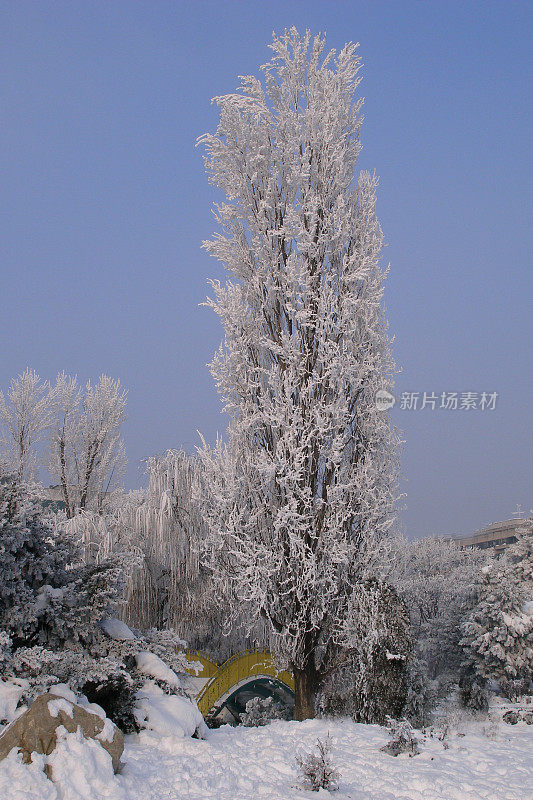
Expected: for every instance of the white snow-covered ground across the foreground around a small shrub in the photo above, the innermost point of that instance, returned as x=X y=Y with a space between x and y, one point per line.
x=487 y=762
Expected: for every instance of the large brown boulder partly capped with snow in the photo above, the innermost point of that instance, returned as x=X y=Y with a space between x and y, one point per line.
x=36 y=729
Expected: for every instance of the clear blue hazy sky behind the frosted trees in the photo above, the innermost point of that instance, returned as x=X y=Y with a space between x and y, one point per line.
x=105 y=204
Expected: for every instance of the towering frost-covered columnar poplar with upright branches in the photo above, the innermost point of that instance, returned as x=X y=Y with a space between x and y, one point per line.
x=300 y=497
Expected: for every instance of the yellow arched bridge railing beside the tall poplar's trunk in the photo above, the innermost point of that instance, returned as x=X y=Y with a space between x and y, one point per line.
x=237 y=671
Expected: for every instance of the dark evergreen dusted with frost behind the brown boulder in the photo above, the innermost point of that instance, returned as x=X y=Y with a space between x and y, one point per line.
x=53 y=605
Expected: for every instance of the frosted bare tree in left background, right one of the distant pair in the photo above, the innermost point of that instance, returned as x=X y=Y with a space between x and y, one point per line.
x=87 y=456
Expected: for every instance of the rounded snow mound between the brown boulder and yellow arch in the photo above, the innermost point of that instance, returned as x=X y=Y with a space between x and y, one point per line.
x=167 y=715
